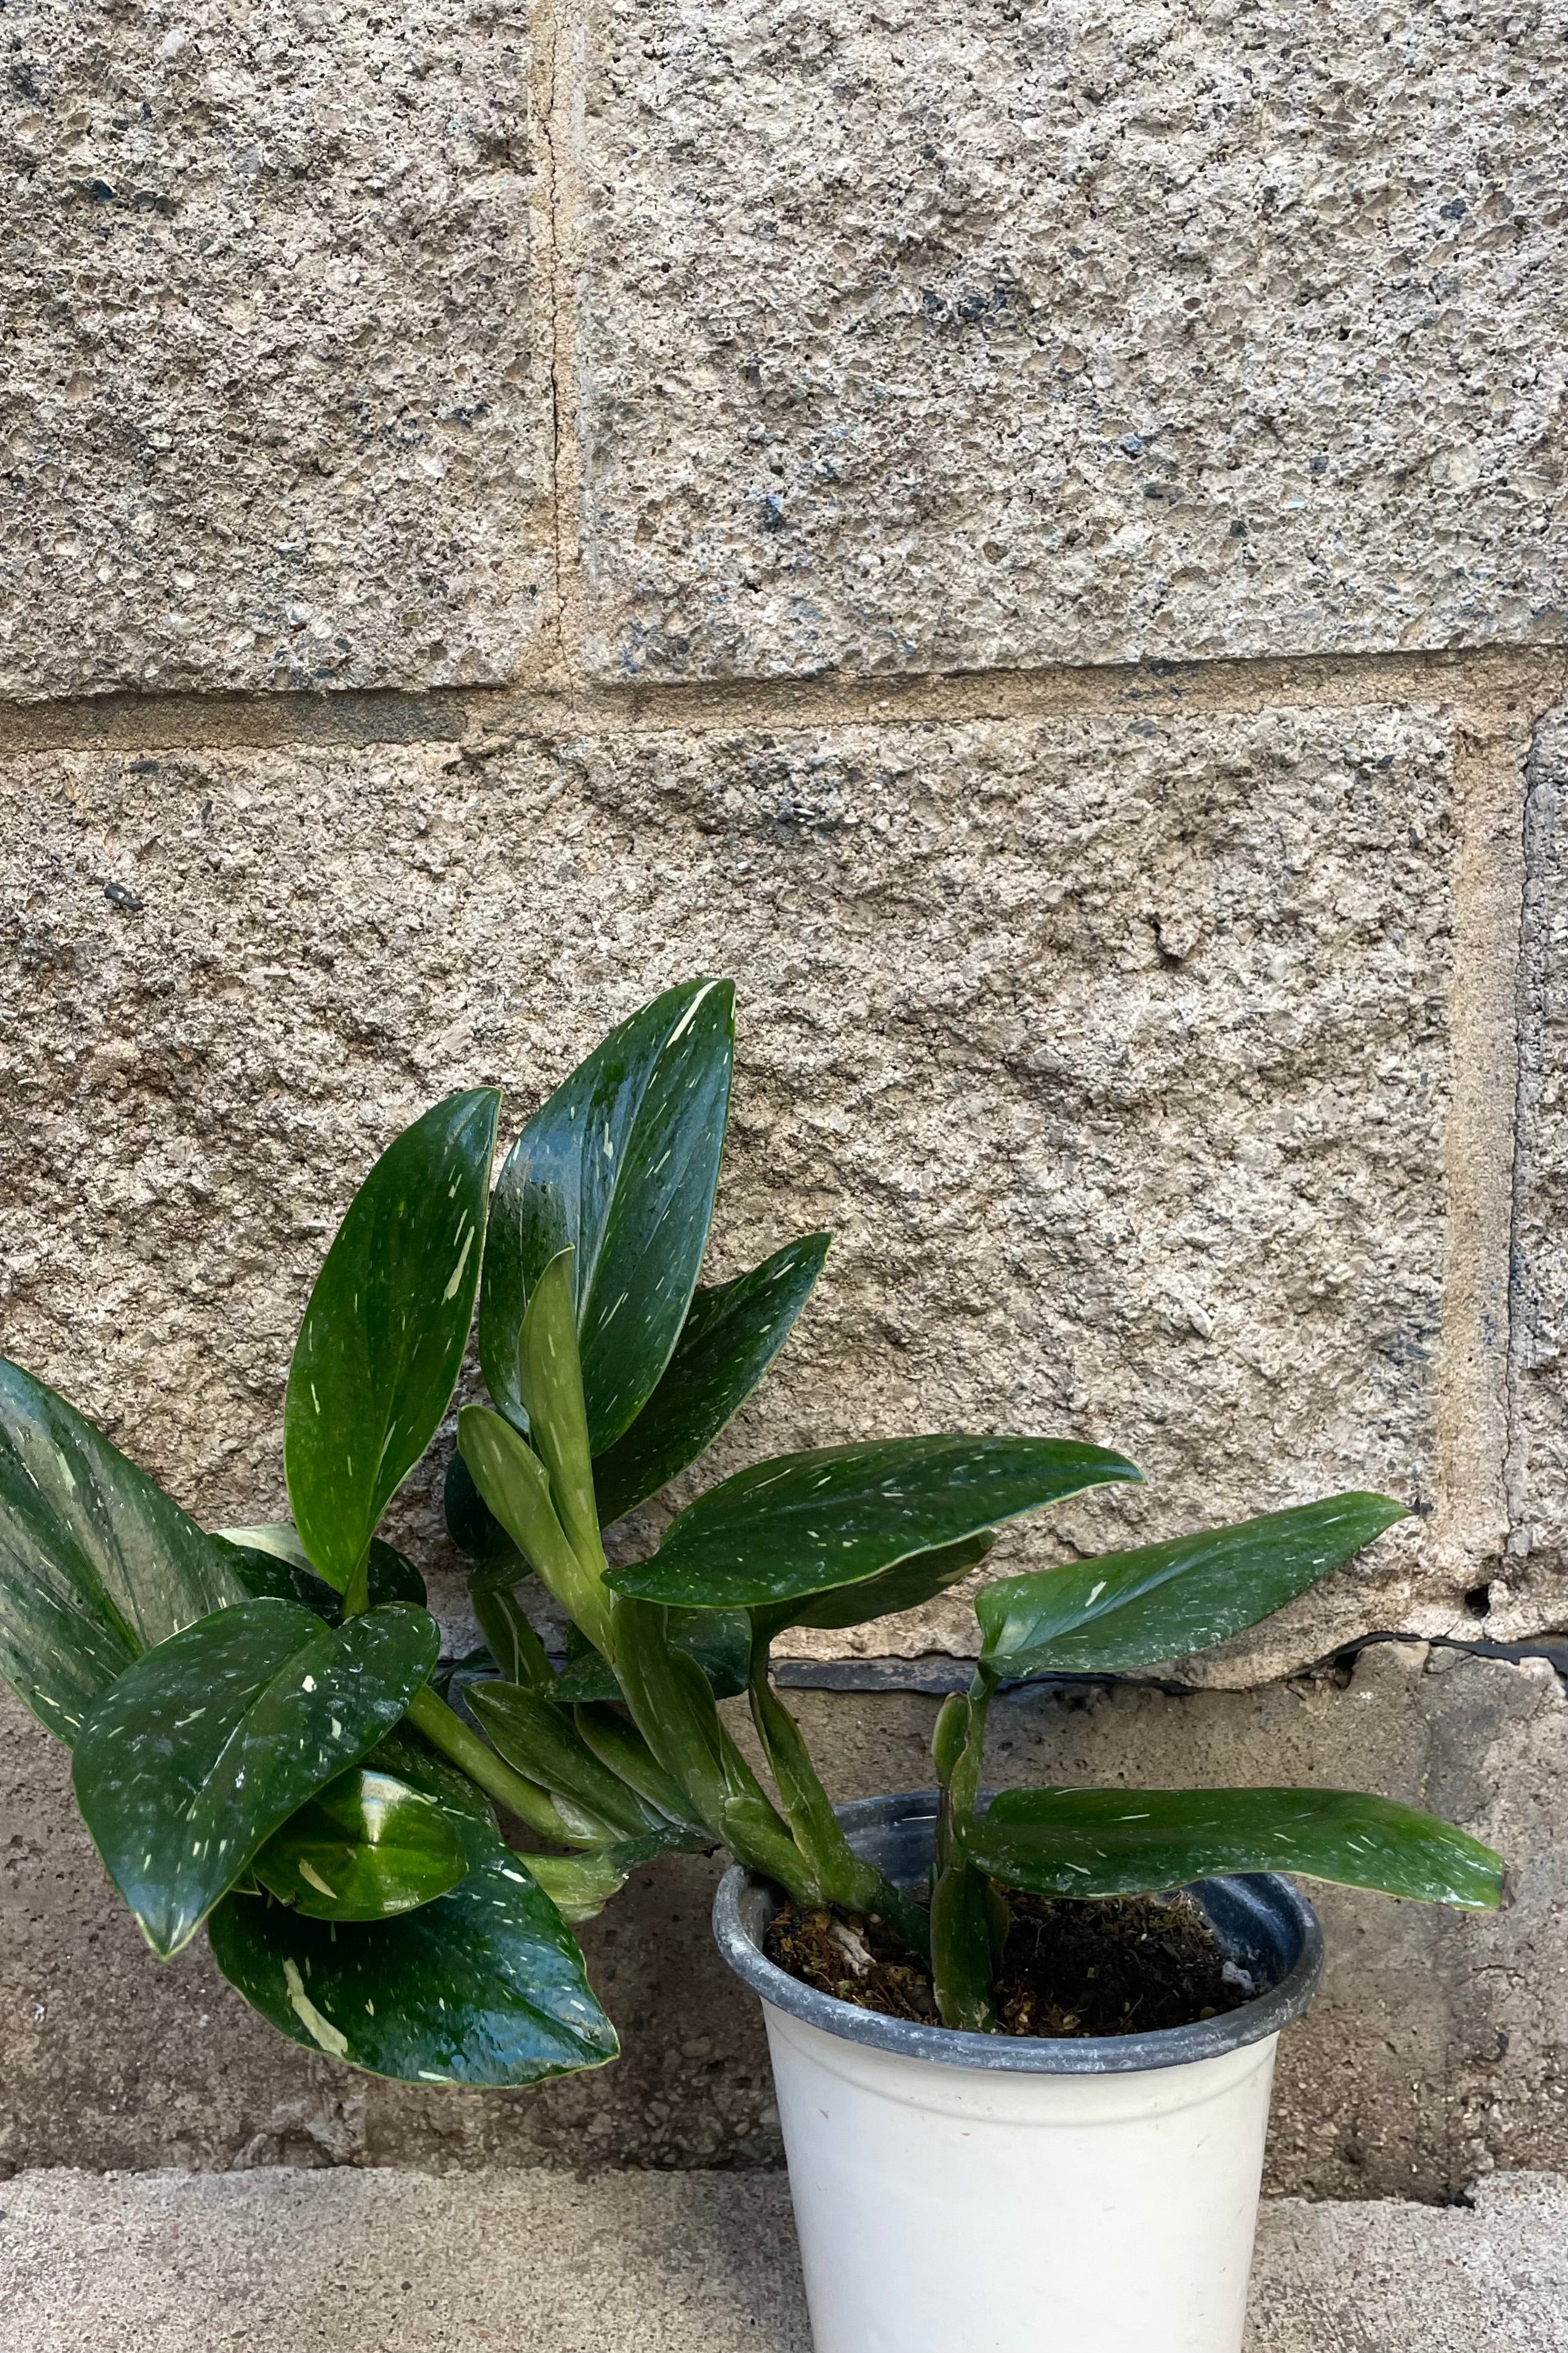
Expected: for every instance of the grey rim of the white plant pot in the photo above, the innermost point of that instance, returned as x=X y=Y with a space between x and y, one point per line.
x=1275 y=1905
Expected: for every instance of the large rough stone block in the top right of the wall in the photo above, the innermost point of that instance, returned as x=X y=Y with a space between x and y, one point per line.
x=1003 y=333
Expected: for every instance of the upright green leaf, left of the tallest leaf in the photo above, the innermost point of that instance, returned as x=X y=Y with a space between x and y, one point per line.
x=384 y=1335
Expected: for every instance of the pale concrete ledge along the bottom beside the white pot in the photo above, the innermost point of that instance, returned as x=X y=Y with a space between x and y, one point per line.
x=391 y=2262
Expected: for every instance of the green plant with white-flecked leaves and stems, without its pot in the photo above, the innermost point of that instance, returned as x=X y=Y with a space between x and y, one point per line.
x=262 y=1749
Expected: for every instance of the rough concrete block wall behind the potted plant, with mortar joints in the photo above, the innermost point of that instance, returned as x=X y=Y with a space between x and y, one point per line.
x=1031 y=538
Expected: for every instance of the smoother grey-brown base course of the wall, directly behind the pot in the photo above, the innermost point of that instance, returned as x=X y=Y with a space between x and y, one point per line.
x=1438 y=2048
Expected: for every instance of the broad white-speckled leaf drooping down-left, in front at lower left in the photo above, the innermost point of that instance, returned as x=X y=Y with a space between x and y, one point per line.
x=213 y=1740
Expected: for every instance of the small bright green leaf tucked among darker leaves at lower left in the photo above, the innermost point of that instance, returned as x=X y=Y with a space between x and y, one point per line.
x=366 y=1848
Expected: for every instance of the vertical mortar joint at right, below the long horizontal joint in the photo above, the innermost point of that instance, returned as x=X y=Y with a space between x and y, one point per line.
x=1492 y=747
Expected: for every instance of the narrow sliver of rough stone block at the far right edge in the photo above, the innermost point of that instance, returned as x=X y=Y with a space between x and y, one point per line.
x=1536 y=1571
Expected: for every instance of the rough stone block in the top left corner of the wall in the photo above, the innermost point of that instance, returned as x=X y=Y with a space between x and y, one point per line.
x=276 y=392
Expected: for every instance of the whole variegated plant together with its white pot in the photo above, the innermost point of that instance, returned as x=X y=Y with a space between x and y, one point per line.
x=264 y=1747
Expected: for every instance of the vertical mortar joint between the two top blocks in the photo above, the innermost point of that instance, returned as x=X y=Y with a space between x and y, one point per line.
x=558 y=107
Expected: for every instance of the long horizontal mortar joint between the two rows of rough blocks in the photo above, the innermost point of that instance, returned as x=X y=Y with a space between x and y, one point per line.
x=1527 y=679
